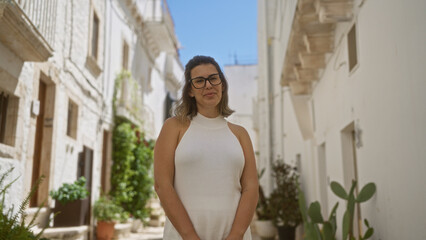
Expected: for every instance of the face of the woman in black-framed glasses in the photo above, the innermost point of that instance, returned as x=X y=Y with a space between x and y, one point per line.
x=210 y=95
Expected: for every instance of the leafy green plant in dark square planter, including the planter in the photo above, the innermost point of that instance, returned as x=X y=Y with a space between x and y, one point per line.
x=71 y=204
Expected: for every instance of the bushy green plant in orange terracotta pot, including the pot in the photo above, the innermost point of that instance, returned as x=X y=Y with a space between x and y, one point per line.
x=107 y=213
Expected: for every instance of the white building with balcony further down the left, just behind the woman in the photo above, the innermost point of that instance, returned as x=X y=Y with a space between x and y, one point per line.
x=144 y=43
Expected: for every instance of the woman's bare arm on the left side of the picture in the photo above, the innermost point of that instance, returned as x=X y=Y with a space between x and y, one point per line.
x=164 y=168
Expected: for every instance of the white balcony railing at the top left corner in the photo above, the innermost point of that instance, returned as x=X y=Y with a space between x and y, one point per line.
x=42 y=14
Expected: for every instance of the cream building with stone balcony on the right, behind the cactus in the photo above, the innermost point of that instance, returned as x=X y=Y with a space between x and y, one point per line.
x=341 y=85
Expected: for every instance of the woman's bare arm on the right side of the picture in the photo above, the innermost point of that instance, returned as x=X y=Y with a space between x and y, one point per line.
x=249 y=186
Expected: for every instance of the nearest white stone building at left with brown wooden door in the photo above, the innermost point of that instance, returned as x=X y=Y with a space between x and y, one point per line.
x=52 y=98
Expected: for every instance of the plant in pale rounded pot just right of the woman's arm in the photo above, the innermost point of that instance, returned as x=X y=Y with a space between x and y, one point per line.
x=264 y=225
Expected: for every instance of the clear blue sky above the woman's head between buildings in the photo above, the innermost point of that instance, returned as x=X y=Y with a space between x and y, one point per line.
x=223 y=29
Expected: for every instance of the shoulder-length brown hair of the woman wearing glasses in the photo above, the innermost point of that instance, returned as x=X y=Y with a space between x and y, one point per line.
x=186 y=107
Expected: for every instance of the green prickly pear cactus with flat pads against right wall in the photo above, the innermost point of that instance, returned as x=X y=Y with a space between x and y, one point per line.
x=329 y=227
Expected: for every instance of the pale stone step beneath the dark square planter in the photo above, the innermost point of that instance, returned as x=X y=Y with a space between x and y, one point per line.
x=64 y=233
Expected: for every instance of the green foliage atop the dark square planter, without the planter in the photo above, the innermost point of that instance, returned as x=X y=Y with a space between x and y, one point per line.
x=70 y=192
